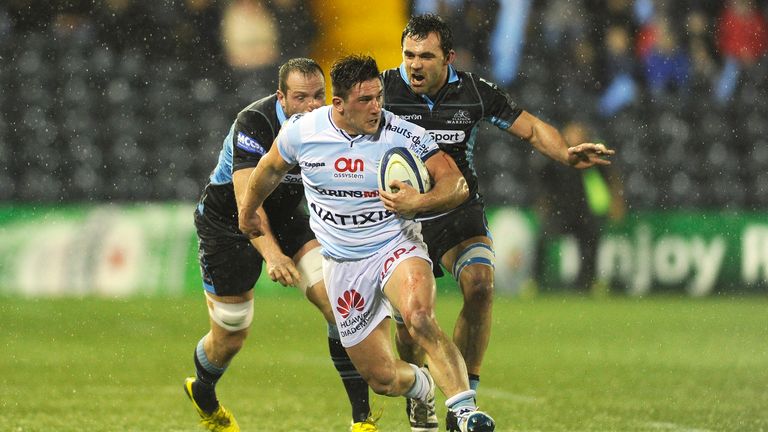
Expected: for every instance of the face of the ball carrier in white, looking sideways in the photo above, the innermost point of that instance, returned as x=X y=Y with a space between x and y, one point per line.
x=362 y=108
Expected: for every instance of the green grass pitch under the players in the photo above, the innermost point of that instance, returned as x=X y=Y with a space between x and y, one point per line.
x=556 y=363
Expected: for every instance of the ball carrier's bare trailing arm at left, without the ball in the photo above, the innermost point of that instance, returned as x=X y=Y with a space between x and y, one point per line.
x=263 y=180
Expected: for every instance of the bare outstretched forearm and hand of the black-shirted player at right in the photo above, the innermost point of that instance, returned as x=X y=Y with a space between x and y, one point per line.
x=548 y=140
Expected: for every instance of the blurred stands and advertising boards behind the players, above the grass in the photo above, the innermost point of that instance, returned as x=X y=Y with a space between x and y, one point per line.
x=112 y=114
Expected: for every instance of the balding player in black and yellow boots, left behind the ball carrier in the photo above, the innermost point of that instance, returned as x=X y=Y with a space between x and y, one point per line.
x=231 y=263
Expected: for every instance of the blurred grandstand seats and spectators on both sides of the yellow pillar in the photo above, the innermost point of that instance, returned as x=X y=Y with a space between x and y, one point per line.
x=107 y=99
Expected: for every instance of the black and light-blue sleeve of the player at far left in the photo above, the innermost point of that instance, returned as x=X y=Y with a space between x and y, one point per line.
x=252 y=138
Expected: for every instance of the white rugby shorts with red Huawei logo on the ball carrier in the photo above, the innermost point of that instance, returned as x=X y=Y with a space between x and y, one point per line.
x=356 y=288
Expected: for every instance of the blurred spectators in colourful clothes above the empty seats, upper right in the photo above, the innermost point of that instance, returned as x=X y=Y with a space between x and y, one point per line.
x=619 y=48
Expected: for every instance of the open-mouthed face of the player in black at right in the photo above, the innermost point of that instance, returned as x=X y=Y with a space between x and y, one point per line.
x=425 y=64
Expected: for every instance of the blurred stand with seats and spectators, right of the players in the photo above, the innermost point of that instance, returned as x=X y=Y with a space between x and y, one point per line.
x=678 y=87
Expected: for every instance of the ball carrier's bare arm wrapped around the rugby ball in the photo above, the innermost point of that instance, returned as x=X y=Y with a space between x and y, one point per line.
x=448 y=191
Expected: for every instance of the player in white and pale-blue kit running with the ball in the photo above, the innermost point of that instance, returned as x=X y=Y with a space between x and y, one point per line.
x=372 y=258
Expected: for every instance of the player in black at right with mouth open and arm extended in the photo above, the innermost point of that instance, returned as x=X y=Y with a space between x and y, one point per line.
x=427 y=90
